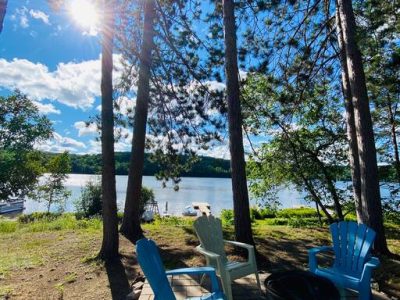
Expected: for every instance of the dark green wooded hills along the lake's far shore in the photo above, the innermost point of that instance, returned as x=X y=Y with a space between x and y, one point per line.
x=205 y=166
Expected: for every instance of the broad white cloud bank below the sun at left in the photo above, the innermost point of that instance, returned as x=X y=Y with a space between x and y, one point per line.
x=73 y=84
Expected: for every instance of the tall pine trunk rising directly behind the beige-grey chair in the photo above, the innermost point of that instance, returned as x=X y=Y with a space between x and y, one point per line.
x=241 y=207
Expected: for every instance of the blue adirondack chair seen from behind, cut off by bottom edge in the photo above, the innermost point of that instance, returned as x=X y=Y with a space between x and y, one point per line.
x=152 y=266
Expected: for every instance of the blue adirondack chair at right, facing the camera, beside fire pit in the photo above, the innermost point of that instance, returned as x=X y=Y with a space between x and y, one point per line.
x=353 y=262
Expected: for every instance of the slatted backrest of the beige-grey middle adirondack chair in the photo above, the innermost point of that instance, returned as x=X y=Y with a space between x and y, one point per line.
x=209 y=232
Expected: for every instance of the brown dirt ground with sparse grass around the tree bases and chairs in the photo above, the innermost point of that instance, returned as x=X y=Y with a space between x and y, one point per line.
x=62 y=265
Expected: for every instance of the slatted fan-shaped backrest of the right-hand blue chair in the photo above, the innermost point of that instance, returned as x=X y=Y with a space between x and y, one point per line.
x=352 y=245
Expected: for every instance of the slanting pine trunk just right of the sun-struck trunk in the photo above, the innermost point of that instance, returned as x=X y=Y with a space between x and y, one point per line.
x=131 y=222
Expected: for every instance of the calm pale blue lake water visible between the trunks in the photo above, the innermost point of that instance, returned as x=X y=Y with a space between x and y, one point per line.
x=216 y=191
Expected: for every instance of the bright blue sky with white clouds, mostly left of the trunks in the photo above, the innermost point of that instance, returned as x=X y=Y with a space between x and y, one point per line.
x=56 y=62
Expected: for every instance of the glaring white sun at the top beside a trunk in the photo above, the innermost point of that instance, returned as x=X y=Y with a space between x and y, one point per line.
x=85 y=13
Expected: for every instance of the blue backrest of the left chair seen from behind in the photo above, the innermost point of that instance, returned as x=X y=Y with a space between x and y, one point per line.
x=152 y=266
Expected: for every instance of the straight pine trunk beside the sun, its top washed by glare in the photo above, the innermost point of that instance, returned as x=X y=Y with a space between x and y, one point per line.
x=110 y=244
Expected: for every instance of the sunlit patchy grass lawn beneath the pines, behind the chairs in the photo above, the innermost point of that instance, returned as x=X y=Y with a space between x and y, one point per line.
x=56 y=259
